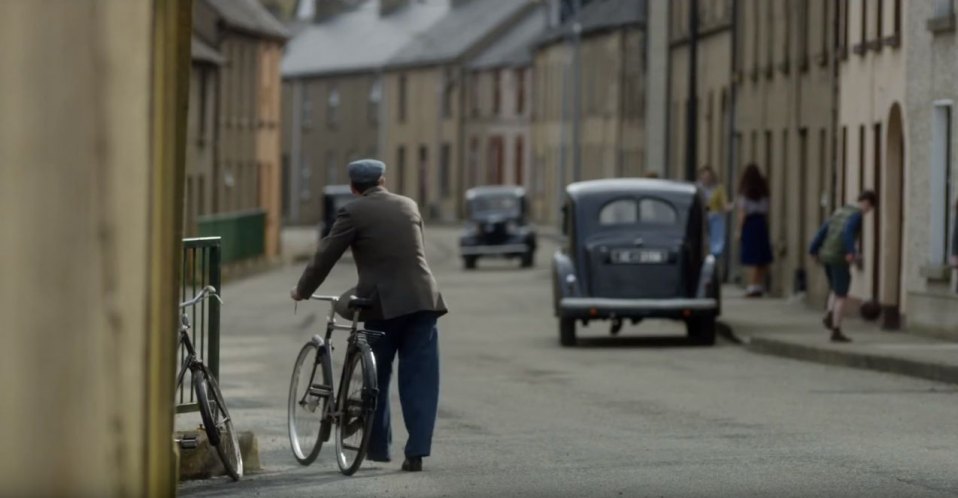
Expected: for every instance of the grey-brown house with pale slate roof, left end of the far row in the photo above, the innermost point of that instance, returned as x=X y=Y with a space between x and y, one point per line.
x=334 y=101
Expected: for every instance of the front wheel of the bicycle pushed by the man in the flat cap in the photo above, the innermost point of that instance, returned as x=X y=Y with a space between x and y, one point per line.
x=305 y=448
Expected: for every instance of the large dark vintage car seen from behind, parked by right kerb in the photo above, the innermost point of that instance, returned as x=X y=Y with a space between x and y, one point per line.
x=636 y=248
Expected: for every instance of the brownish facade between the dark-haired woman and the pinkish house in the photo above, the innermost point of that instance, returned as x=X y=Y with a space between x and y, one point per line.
x=785 y=104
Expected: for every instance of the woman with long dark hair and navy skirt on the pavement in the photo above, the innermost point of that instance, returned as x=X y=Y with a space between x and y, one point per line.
x=756 y=247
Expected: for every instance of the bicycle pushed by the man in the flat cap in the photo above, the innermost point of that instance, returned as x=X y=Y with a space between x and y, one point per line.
x=314 y=403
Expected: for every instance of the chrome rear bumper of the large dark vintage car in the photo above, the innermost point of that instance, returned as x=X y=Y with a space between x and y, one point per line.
x=597 y=308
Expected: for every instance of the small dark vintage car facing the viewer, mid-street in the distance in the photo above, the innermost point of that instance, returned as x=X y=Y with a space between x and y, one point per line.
x=497 y=226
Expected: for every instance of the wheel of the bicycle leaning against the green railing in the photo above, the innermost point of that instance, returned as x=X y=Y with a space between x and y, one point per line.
x=217 y=421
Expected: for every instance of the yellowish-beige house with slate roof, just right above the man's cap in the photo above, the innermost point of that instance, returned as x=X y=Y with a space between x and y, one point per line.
x=425 y=106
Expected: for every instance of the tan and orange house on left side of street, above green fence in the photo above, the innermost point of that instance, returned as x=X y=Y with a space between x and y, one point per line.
x=233 y=168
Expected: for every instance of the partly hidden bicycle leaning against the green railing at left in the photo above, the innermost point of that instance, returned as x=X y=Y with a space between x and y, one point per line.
x=216 y=418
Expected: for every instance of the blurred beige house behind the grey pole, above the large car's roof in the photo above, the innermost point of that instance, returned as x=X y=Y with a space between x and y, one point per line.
x=608 y=87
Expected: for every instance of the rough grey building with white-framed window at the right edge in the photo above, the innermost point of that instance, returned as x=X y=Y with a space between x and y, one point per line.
x=930 y=179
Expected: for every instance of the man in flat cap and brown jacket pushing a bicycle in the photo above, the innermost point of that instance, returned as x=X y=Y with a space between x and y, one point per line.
x=385 y=233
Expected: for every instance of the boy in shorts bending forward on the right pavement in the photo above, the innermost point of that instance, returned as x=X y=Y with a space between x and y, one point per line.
x=836 y=248
